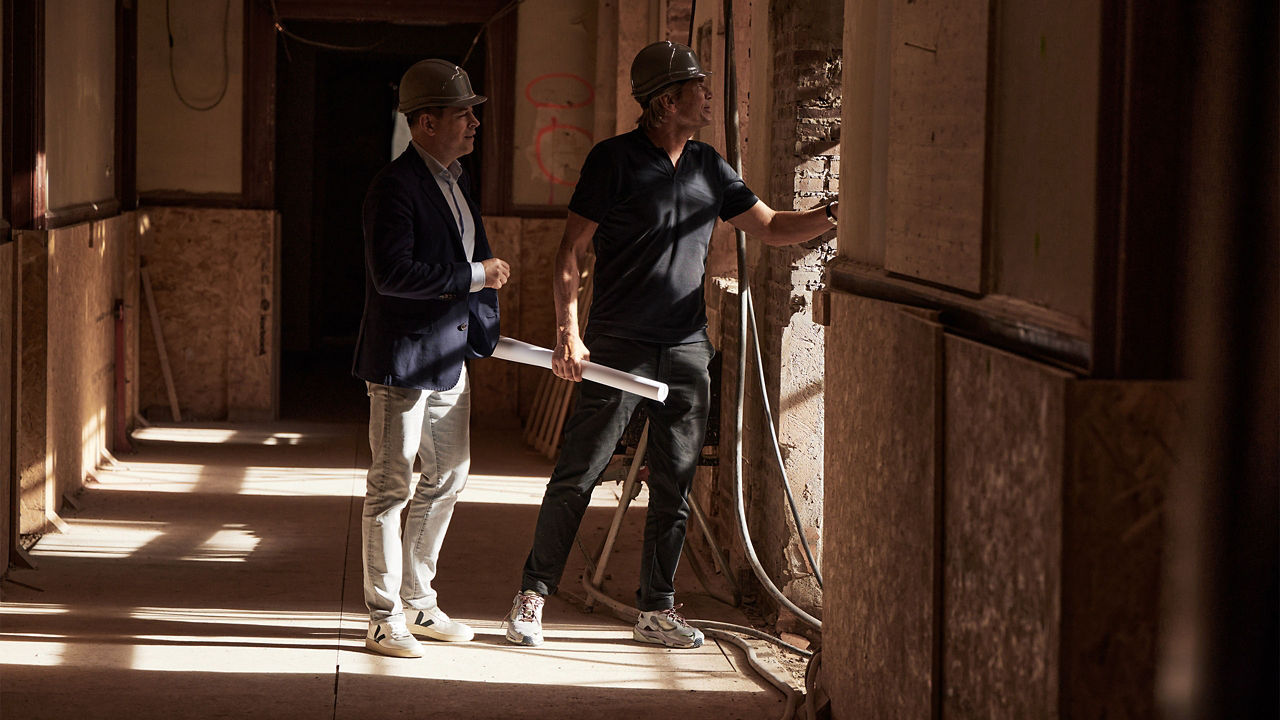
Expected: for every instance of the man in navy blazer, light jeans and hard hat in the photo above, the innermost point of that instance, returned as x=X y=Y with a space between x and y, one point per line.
x=431 y=304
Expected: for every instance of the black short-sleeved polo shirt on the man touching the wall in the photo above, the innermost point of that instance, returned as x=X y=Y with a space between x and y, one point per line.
x=656 y=230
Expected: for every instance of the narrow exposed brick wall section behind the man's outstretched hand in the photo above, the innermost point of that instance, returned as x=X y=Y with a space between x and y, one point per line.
x=804 y=144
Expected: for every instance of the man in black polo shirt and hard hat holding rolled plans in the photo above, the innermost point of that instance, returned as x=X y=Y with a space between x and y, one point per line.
x=647 y=202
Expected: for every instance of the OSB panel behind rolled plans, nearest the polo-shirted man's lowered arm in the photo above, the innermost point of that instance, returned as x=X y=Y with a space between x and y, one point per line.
x=540 y=241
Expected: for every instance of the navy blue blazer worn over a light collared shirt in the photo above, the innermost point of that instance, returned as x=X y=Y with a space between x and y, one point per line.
x=420 y=318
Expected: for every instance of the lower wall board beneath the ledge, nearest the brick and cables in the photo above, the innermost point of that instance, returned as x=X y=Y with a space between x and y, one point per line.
x=884 y=372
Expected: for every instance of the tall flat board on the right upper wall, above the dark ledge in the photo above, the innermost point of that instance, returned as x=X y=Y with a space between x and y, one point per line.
x=938 y=142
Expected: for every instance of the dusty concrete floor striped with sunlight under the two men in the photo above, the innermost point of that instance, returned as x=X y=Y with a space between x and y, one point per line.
x=216 y=573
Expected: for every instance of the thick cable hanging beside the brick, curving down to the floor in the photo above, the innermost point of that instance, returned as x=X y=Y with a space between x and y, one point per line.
x=732 y=142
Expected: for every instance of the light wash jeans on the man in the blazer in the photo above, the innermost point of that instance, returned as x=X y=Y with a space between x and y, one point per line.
x=405 y=423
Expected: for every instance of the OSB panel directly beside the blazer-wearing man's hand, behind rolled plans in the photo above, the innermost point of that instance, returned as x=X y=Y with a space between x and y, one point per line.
x=496 y=384
